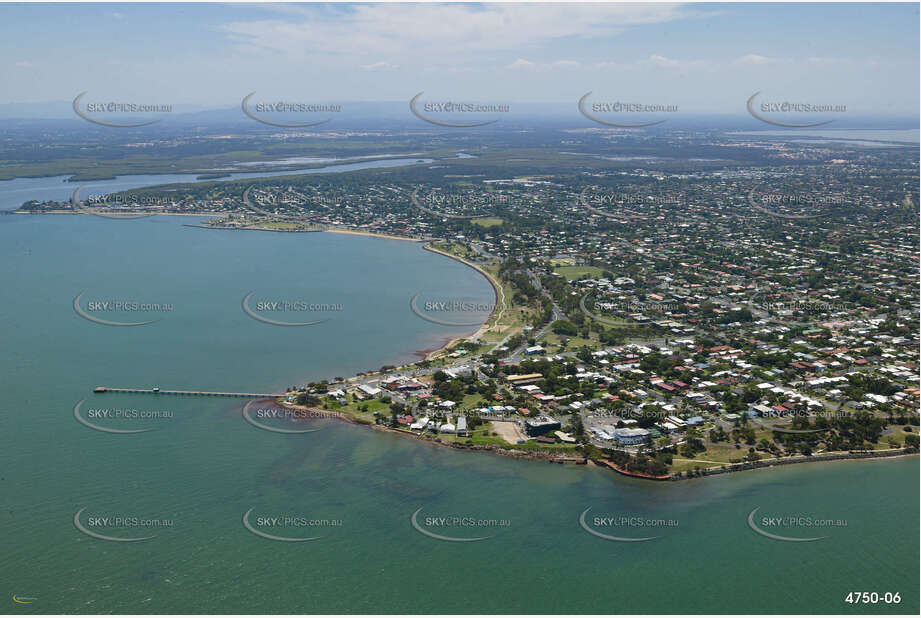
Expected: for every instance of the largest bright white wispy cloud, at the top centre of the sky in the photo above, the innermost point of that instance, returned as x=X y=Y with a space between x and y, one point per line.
x=437 y=30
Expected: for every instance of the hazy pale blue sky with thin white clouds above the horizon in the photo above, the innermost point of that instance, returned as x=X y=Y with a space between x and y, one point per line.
x=705 y=58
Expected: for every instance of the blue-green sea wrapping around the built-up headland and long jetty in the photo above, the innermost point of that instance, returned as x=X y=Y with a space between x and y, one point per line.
x=204 y=466
